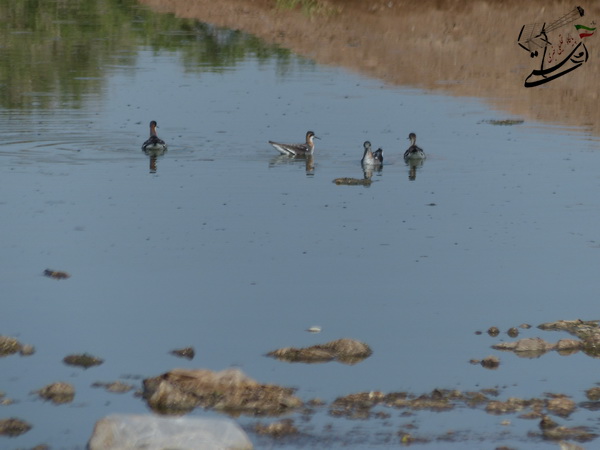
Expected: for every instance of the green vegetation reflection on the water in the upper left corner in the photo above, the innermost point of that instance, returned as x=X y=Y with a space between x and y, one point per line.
x=54 y=53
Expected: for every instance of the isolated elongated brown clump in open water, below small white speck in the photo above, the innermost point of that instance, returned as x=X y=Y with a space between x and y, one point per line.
x=348 y=351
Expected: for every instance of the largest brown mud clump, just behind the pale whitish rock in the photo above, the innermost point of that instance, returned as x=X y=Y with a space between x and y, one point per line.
x=231 y=391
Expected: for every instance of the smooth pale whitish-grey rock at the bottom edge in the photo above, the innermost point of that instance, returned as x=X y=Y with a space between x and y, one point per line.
x=149 y=432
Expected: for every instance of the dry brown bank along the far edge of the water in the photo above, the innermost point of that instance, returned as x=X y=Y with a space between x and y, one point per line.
x=458 y=47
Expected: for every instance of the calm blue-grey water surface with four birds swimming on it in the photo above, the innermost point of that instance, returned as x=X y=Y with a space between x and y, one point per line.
x=222 y=245
